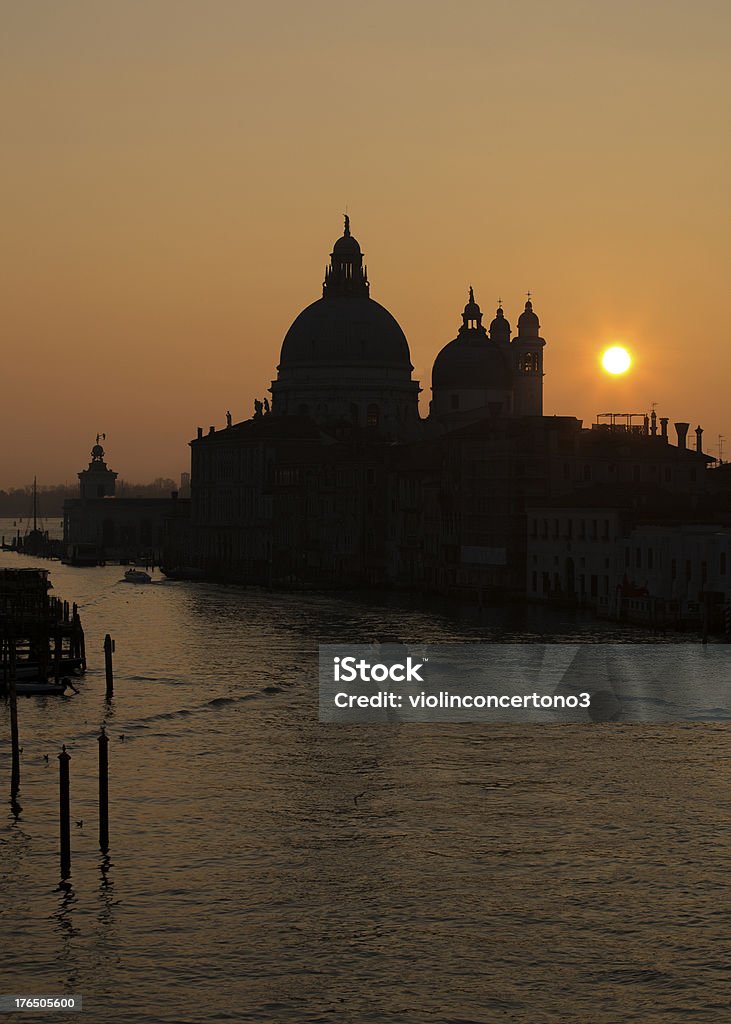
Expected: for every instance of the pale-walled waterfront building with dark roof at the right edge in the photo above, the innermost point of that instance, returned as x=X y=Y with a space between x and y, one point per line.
x=651 y=552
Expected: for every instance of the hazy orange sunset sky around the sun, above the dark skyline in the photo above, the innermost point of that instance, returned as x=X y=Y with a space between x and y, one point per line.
x=175 y=175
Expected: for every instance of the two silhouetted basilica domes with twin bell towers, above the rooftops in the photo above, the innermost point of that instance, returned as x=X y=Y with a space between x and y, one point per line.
x=347 y=361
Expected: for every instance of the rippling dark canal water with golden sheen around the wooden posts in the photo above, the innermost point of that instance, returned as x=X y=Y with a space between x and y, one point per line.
x=267 y=868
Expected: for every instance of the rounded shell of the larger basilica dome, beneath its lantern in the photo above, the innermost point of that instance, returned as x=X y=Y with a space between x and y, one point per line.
x=346 y=331
